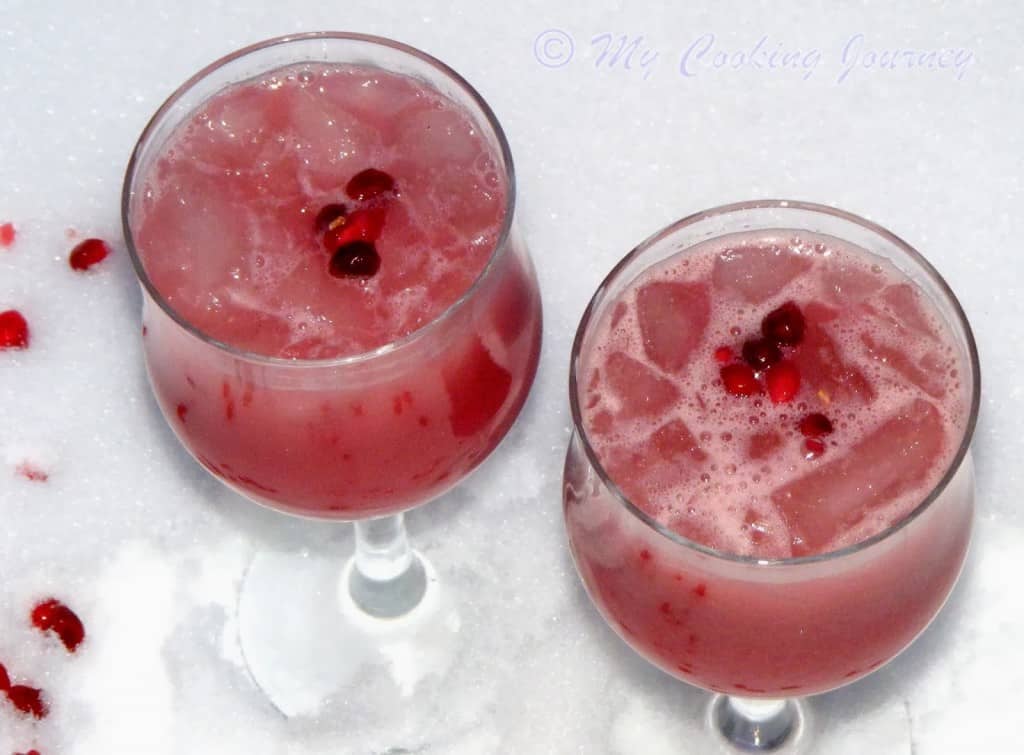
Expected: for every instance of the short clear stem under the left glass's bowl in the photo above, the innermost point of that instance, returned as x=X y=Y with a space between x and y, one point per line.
x=388 y=578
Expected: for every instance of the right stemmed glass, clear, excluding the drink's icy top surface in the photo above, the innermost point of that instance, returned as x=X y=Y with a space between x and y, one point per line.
x=764 y=634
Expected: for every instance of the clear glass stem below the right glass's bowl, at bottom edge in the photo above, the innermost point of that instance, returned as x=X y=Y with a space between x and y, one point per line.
x=755 y=725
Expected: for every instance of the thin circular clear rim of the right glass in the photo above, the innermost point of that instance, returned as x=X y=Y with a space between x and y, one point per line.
x=676 y=538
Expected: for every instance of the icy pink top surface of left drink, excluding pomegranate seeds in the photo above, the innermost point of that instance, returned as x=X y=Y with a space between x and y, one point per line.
x=226 y=223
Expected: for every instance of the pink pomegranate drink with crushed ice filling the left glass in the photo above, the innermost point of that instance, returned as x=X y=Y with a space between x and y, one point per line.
x=386 y=385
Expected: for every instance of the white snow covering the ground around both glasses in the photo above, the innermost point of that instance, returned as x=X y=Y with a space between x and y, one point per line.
x=150 y=551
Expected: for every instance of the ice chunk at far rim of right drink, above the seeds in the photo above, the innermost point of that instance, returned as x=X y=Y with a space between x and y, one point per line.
x=758 y=273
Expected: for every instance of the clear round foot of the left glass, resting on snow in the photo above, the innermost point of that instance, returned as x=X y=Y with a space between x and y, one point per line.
x=307 y=643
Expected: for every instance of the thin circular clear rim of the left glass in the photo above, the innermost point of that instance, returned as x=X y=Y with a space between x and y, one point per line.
x=491 y=121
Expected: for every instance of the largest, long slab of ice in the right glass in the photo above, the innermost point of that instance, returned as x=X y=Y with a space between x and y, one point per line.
x=836 y=495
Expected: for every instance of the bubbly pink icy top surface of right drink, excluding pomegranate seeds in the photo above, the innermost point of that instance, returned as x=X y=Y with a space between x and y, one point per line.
x=731 y=472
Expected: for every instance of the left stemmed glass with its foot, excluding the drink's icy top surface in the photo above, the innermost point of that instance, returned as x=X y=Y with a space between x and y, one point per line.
x=363 y=438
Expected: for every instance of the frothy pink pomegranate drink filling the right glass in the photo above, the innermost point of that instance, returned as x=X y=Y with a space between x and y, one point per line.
x=777 y=451
